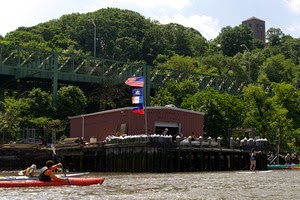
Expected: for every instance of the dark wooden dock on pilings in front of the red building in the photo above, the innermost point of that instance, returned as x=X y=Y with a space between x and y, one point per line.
x=159 y=154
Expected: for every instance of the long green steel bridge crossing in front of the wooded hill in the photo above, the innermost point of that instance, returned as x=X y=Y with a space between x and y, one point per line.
x=21 y=63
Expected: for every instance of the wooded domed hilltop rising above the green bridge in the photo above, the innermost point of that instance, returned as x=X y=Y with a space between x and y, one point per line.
x=120 y=35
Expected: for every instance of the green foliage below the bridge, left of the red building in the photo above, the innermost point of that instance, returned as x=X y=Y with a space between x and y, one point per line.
x=36 y=111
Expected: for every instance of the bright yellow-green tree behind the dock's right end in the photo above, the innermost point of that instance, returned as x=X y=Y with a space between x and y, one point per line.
x=268 y=116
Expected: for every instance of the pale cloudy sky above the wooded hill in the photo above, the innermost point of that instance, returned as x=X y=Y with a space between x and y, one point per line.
x=206 y=16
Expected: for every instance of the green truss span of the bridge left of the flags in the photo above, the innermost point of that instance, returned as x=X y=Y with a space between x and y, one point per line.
x=24 y=62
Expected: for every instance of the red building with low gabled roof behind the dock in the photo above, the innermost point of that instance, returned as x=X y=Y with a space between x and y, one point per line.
x=123 y=121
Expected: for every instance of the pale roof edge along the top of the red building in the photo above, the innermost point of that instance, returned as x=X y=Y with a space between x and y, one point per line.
x=167 y=107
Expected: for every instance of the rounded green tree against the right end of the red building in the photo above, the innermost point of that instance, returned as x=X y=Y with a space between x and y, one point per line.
x=222 y=111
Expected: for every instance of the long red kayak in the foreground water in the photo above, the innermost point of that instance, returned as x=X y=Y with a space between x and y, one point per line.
x=37 y=183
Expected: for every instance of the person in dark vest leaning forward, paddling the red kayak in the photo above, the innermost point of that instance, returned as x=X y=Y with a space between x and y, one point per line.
x=47 y=172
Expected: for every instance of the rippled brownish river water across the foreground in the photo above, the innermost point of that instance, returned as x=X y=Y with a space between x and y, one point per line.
x=279 y=184
